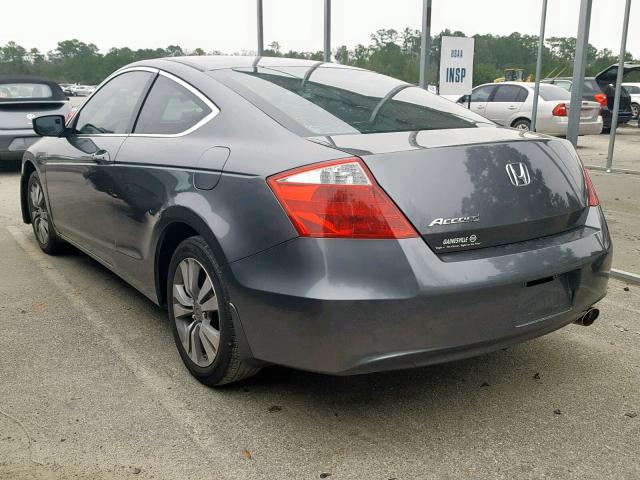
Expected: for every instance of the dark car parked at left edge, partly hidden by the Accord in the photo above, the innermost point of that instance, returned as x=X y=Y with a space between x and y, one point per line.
x=23 y=98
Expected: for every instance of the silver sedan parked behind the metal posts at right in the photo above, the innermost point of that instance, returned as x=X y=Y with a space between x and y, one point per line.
x=511 y=104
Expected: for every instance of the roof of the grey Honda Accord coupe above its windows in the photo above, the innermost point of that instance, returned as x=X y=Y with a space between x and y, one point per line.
x=218 y=62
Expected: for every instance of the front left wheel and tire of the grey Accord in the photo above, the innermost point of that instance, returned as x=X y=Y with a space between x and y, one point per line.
x=43 y=228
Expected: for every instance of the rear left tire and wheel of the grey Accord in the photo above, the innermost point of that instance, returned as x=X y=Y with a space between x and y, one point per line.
x=198 y=325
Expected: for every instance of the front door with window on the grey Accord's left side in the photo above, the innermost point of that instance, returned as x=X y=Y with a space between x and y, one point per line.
x=79 y=173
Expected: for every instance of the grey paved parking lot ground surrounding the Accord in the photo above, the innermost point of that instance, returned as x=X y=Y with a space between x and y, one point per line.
x=91 y=386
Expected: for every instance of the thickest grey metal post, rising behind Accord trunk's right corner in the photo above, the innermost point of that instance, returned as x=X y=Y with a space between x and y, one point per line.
x=579 y=65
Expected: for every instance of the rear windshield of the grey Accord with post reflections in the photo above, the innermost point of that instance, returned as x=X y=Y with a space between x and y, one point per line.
x=337 y=100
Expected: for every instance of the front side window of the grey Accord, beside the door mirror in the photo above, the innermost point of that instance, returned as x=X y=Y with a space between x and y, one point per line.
x=113 y=108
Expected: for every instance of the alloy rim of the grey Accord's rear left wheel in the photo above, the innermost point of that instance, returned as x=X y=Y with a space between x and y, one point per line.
x=195 y=312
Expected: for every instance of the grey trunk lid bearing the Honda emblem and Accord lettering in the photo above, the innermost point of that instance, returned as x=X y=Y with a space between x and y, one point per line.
x=474 y=188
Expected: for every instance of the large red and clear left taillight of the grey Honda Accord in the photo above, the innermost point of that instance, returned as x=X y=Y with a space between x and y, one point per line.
x=339 y=199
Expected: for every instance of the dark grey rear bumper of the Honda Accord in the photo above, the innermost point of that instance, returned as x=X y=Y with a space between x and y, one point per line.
x=357 y=306
